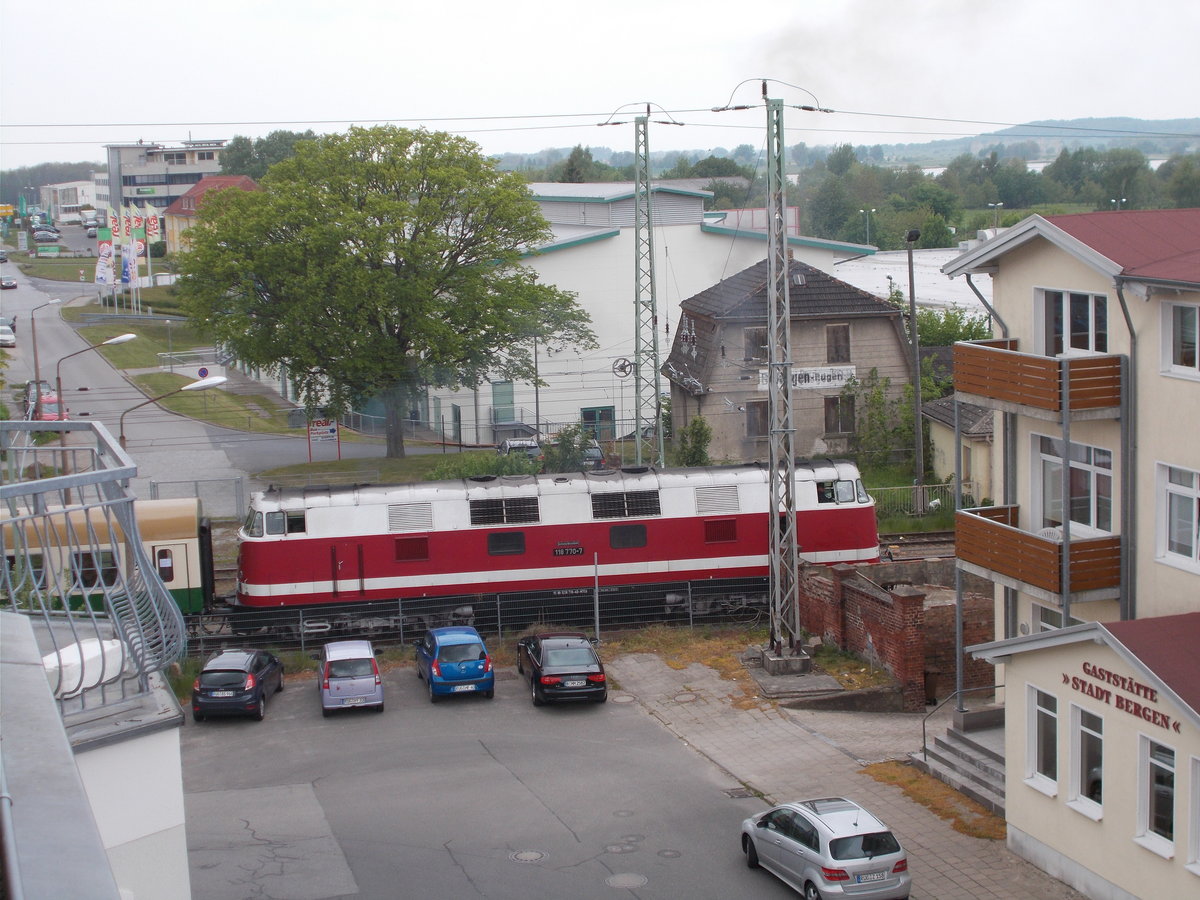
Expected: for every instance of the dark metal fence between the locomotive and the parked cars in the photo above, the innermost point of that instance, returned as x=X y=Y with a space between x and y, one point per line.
x=598 y=610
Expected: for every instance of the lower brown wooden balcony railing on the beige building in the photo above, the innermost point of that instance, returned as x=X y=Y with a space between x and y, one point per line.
x=988 y=538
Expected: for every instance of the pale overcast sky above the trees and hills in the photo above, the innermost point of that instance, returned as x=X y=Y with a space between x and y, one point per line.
x=524 y=77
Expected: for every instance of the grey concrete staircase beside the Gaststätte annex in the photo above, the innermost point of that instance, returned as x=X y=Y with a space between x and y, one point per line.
x=970 y=758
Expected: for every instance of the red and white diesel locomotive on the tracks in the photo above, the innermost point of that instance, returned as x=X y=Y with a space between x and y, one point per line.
x=518 y=536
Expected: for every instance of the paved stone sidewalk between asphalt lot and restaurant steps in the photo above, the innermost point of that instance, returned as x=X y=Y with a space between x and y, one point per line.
x=789 y=754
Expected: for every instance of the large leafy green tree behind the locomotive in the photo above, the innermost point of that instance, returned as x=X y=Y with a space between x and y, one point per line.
x=375 y=263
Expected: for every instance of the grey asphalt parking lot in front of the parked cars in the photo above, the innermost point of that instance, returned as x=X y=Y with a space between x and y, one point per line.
x=469 y=797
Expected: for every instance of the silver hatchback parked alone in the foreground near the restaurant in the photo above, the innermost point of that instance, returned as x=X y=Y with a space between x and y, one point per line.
x=829 y=848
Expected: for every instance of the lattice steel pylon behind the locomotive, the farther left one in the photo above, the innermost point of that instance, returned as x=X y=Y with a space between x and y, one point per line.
x=647 y=382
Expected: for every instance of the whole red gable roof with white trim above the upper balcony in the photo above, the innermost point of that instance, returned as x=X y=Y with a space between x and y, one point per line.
x=1159 y=247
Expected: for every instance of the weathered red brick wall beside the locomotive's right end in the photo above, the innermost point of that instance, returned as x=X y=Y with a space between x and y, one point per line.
x=895 y=628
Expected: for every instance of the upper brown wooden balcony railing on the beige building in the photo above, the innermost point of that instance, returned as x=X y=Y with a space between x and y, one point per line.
x=995 y=370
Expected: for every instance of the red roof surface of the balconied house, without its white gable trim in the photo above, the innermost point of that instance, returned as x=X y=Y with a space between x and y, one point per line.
x=1162 y=244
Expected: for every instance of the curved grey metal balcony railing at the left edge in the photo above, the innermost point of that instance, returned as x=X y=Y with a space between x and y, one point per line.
x=76 y=565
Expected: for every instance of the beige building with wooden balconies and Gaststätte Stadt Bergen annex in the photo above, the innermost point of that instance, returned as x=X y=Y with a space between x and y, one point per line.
x=1094 y=382
